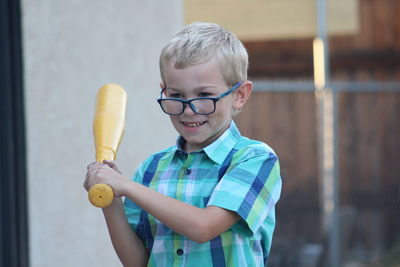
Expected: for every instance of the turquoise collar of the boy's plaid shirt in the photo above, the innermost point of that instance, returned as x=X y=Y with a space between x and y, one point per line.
x=220 y=148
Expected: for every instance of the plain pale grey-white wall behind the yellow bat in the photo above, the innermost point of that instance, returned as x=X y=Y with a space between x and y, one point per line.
x=72 y=48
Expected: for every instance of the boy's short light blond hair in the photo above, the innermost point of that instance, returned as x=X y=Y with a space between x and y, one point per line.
x=200 y=42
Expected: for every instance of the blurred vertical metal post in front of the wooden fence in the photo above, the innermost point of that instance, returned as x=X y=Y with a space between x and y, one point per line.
x=327 y=134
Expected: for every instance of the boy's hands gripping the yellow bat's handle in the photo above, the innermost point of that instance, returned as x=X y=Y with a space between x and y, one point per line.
x=106 y=173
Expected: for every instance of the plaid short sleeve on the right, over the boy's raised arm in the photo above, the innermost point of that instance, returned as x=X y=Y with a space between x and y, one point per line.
x=250 y=187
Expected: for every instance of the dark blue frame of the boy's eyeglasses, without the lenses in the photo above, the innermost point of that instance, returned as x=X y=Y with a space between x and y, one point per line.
x=186 y=102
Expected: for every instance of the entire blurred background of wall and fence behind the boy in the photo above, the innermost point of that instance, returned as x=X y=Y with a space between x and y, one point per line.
x=337 y=136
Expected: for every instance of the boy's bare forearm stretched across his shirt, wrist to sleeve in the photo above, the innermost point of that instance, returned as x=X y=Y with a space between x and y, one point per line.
x=197 y=224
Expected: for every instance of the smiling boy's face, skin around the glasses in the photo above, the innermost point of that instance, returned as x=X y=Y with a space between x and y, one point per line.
x=202 y=80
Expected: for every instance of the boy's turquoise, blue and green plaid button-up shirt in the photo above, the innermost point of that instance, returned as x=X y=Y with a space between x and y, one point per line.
x=234 y=173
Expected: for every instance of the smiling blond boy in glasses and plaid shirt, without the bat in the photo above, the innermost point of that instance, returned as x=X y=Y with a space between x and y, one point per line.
x=209 y=200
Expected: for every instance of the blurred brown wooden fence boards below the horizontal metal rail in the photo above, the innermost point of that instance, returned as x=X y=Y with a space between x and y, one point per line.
x=369 y=167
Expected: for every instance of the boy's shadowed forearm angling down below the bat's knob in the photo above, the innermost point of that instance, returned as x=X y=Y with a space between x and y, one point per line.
x=127 y=245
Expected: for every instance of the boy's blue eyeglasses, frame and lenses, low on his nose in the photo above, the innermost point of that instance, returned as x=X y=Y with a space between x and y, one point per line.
x=200 y=105
